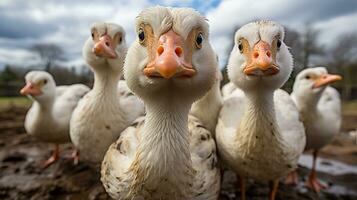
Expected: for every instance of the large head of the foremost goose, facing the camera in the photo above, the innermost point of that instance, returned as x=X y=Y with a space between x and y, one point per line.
x=171 y=56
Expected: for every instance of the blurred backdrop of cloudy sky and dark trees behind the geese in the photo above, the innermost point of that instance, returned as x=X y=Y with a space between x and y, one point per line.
x=49 y=35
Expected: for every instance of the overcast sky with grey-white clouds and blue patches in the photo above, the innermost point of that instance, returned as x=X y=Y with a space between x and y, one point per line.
x=66 y=22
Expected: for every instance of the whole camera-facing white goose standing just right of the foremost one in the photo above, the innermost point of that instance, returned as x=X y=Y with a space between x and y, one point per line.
x=259 y=134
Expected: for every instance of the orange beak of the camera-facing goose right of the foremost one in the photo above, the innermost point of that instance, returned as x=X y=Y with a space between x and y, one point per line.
x=261 y=61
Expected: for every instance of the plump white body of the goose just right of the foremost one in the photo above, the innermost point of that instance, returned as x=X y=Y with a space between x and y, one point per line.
x=265 y=148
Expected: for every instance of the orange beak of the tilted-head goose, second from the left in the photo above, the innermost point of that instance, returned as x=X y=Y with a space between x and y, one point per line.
x=104 y=47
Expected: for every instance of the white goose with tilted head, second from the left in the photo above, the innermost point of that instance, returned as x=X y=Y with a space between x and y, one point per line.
x=101 y=115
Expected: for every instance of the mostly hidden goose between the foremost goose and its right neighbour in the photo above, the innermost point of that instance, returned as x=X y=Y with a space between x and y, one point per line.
x=207 y=108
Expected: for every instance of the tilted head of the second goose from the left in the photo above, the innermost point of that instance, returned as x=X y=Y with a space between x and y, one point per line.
x=105 y=49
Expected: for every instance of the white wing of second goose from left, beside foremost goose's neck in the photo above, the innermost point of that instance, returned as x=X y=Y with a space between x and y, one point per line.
x=133 y=106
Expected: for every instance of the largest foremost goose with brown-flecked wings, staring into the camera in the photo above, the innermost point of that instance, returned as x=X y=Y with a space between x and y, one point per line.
x=168 y=154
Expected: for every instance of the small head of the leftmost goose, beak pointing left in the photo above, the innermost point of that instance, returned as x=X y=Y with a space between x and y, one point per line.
x=40 y=85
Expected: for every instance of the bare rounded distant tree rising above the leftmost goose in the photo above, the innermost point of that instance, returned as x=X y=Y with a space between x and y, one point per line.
x=48 y=54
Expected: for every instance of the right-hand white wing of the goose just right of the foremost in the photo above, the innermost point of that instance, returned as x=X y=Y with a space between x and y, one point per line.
x=288 y=119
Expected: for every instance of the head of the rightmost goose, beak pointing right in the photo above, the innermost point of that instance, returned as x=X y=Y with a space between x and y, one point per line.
x=310 y=83
